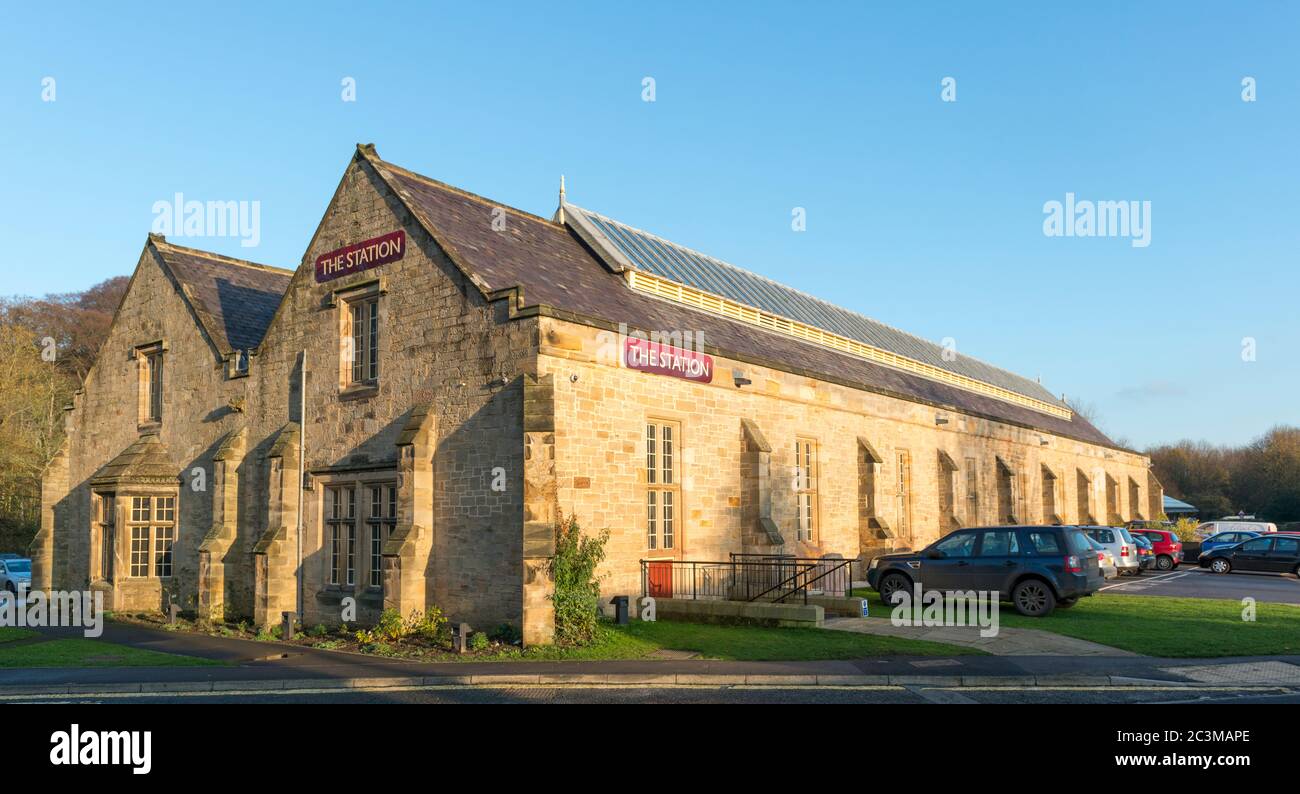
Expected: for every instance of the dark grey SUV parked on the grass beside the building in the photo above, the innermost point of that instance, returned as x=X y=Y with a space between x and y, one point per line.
x=1037 y=569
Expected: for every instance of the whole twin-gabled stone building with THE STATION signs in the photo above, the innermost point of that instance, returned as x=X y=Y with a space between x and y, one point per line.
x=401 y=420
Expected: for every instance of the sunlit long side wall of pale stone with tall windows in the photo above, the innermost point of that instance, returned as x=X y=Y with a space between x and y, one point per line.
x=601 y=413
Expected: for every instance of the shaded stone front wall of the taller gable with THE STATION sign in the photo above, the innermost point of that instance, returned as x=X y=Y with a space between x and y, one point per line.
x=443 y=345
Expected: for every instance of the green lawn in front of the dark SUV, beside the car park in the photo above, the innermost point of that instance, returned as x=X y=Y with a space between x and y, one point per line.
x=1159 y=626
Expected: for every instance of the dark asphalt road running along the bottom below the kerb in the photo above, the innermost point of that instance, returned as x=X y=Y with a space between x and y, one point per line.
x=751 y=696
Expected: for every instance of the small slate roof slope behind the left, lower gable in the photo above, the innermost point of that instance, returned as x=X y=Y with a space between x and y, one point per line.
x=233 y=300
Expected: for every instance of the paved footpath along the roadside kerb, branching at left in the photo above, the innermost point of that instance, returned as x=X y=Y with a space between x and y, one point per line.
x=271 y=666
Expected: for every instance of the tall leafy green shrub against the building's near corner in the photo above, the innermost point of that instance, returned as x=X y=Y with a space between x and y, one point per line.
x=578 y=589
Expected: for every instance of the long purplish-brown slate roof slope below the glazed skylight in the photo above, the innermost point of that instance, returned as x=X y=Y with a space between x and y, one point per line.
x=552 y=271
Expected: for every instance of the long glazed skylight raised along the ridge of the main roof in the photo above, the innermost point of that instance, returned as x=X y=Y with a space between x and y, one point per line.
x=666 y=259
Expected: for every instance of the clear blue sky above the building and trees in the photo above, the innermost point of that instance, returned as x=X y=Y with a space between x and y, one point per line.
x=921 y=214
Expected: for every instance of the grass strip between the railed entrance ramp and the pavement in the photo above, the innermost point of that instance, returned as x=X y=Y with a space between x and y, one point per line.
x=740 y=644
